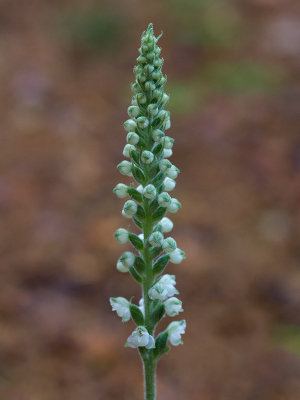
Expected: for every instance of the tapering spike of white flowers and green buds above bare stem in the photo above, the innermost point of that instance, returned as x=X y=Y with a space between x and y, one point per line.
x=147 y=152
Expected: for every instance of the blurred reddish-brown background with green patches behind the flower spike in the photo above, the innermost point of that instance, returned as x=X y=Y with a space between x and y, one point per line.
x=233 y=77
